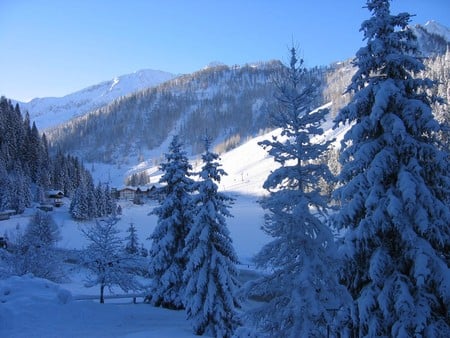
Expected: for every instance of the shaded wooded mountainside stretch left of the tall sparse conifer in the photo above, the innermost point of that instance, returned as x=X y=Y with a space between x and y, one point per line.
x=223 y=101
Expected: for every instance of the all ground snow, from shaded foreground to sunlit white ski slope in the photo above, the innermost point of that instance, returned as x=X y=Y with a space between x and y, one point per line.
x=55 y=311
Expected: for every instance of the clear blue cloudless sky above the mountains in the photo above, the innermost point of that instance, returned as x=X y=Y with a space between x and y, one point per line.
x=55 y=47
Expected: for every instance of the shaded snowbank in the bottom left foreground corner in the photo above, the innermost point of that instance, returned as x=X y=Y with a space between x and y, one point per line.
x=34 y=307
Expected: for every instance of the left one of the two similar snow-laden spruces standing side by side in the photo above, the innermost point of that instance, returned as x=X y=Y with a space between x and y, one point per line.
x=167 y=260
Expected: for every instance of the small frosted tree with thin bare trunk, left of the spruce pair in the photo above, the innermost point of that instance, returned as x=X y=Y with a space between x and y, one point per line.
x=105 y=259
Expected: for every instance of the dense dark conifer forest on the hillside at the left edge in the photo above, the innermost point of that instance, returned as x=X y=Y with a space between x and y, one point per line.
x=27 y=169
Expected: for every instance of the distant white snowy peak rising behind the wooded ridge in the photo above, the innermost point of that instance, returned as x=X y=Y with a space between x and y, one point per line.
x=51 y=111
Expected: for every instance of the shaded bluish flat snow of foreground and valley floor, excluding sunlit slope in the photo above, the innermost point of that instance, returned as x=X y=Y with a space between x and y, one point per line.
x=33 y=307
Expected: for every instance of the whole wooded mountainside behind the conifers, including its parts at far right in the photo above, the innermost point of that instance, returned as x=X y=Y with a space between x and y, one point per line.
x=231 y=104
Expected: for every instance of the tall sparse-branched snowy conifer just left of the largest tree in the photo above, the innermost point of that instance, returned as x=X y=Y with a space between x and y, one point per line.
x=303 y=293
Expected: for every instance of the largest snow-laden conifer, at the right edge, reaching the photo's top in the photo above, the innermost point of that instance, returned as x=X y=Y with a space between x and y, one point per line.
x=395 y=189
